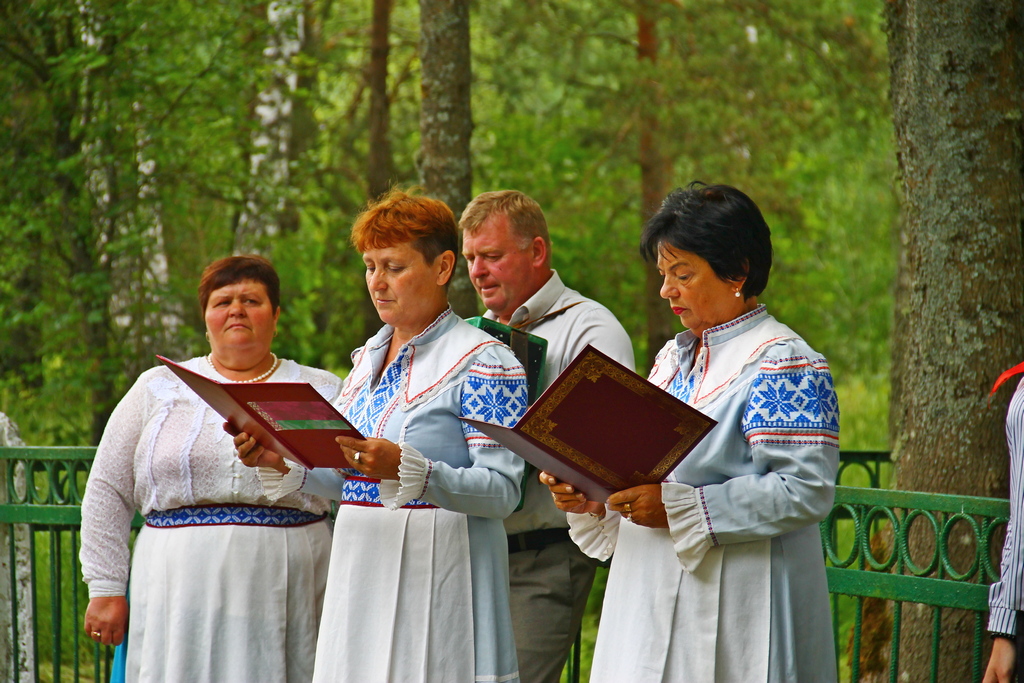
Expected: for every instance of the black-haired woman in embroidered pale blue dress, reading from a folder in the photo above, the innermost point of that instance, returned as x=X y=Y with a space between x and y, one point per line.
x=718 y=573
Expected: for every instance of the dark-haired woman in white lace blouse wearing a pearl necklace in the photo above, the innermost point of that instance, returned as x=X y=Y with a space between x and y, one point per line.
x=212 y=542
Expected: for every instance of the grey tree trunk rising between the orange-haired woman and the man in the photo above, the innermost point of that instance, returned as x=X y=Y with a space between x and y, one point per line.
x=446 y=121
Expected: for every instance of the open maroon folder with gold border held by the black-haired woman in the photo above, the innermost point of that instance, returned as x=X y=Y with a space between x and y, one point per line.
x=604 y=429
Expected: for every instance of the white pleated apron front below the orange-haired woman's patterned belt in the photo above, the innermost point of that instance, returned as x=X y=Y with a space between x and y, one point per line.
x=400 y=604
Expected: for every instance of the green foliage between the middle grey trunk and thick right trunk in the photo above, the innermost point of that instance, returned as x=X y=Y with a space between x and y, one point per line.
x=787 y=103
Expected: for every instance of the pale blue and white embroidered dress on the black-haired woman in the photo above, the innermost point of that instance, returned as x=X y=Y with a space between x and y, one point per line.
x=735 y=590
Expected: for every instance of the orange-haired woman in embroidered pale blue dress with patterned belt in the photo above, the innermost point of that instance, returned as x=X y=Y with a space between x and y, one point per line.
x=418 y=585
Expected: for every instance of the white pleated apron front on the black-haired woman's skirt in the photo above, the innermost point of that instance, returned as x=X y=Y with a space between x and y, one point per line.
x=660 y=623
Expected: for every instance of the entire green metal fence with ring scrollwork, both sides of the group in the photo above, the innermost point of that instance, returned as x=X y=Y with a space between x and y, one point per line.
x=44 y=491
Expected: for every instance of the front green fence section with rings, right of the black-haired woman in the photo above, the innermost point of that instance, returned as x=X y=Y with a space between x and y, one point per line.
x=912 y=561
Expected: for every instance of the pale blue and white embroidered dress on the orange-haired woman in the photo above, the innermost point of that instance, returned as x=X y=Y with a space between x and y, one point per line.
x=449 y=371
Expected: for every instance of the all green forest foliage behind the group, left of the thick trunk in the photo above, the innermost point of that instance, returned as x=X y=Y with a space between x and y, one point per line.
x=129 y=135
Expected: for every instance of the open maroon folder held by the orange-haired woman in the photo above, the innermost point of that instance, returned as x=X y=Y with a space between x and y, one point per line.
x=290 y=418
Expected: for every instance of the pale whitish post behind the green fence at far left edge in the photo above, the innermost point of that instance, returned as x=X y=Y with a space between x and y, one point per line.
x=15 y=581
